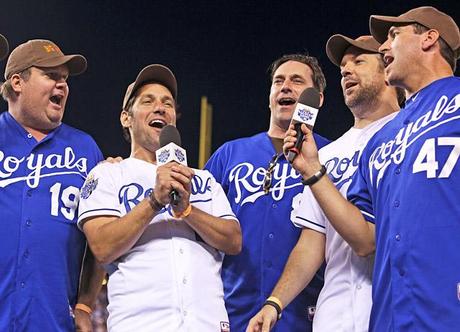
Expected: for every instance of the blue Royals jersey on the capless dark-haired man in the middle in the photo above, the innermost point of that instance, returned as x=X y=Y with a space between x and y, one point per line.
x=268 y=234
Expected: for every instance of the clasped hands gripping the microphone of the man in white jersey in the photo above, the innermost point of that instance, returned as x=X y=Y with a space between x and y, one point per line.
x=174 y=176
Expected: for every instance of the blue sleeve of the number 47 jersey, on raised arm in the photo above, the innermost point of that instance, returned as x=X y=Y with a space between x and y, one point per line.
x=359 y=193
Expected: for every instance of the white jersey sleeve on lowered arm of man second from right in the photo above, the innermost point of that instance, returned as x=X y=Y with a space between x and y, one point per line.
x=307 y=213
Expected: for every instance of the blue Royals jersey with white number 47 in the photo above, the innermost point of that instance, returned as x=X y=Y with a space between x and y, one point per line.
x=408 y=183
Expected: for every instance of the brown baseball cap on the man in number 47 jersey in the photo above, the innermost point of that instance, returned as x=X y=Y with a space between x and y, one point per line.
x=427 y=16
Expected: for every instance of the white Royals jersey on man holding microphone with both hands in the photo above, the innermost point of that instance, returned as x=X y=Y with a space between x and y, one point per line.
x=170 y=279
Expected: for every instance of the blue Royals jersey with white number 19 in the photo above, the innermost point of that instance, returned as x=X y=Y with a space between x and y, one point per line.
x=41 y=245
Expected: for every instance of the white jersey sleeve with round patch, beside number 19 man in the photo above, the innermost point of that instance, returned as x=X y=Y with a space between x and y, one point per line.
x=98 y=196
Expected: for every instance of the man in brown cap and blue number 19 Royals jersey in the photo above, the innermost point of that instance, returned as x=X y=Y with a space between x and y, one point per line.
x=43 y=163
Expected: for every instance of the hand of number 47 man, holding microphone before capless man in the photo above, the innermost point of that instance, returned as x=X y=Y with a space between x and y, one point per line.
x=306 y=162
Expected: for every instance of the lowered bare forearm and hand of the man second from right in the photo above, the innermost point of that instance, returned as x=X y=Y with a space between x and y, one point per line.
x=304 y=261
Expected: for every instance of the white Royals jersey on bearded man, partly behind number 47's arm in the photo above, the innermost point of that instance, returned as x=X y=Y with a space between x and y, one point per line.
x=345 y=301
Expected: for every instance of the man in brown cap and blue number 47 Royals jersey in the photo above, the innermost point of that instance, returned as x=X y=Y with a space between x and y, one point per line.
x=407 y=180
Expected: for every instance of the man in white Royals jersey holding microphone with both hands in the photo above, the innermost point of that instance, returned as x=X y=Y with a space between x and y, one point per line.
x=164 y=257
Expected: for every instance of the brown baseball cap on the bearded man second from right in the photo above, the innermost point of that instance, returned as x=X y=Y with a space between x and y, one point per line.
x=337 y=45
